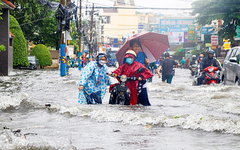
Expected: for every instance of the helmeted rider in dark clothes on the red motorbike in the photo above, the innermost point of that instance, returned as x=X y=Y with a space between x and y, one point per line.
x=210 y=61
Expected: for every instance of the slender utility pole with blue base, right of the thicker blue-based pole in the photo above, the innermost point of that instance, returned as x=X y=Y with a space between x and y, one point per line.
x=80 y=38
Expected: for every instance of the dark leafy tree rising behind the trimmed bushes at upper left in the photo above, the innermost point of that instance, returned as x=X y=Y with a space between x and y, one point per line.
x=37 y=22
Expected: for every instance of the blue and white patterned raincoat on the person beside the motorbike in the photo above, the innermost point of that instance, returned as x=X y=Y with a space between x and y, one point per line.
x=95 y=80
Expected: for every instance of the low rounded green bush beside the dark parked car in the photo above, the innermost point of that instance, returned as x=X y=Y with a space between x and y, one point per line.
x=43 y=55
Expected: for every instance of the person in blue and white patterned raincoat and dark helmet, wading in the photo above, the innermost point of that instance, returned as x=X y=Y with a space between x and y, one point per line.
x=94 y=81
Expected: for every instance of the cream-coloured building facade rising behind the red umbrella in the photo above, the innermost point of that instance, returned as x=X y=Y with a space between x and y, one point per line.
x=118 y=22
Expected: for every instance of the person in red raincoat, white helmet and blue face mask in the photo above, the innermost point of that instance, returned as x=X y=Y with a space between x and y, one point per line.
x=129 y=68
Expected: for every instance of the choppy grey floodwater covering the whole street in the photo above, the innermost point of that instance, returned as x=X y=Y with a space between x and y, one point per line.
x=182 y=116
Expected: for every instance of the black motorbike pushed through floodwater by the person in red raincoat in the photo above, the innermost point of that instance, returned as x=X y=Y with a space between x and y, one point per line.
x=119 y=92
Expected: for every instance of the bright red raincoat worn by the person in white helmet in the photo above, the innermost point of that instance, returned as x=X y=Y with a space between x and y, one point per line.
x=129 y=71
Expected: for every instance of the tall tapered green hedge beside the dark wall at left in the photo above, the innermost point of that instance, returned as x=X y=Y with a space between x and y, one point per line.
x=20 y=50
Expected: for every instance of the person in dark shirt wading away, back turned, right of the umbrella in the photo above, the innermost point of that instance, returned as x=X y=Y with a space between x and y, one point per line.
x=167 y=69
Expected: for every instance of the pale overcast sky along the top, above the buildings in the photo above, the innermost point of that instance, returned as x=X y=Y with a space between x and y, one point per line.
x=145 y=3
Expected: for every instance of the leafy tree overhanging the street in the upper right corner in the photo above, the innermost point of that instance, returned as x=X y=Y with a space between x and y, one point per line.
x=228 y=10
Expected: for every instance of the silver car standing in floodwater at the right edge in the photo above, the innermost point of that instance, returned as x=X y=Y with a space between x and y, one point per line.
x=231 y=67
